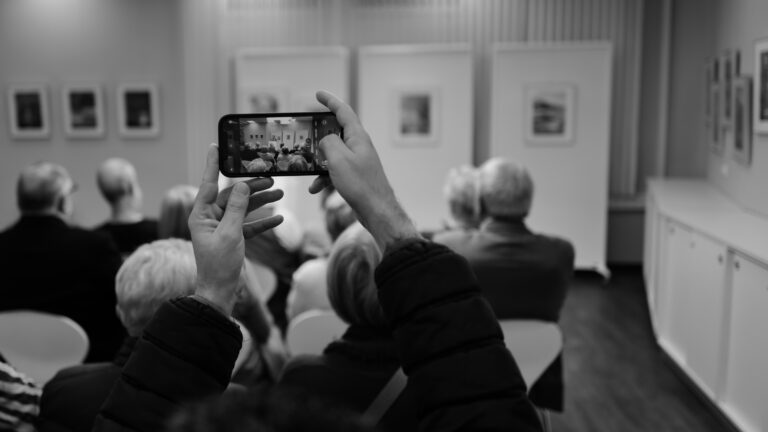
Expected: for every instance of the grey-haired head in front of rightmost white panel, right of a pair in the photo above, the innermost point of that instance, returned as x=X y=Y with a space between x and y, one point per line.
x=506 y=189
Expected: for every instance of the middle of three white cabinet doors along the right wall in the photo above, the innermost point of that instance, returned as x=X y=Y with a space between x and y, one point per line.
x=703 y=312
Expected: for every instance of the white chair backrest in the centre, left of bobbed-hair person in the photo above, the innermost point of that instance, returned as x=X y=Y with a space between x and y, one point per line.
x=311 y=331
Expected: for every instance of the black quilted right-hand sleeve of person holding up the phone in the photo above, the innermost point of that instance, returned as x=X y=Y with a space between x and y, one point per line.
x=450 y=343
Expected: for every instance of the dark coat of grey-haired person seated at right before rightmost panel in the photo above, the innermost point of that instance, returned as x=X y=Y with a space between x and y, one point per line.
x=524 y=276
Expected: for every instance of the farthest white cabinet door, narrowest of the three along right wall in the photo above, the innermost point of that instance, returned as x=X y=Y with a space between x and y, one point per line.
x=675 y=283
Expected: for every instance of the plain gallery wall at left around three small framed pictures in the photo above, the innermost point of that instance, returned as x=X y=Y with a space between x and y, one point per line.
x=105 y=42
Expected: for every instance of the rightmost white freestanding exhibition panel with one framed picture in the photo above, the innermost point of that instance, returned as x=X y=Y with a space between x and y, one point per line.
x=570 y=171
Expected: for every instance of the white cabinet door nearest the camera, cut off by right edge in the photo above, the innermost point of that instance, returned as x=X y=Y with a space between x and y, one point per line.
x=745 y=395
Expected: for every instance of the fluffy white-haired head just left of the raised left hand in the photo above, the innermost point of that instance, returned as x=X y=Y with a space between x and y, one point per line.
x=154 y=273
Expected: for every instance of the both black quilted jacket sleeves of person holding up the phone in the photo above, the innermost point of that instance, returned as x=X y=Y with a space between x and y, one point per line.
x=449 y=342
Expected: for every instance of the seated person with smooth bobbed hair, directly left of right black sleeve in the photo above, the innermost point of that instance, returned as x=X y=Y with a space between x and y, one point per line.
x=354 y=370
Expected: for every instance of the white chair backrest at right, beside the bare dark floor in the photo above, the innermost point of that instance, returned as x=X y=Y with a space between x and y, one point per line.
x=534 y=344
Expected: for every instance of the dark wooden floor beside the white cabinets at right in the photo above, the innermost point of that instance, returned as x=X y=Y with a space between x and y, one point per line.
x=616 y=378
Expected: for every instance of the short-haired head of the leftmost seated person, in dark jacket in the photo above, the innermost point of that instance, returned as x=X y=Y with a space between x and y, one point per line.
x=41 y=187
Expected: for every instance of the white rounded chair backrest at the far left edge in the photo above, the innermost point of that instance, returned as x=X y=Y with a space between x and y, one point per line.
x=40 y=344
